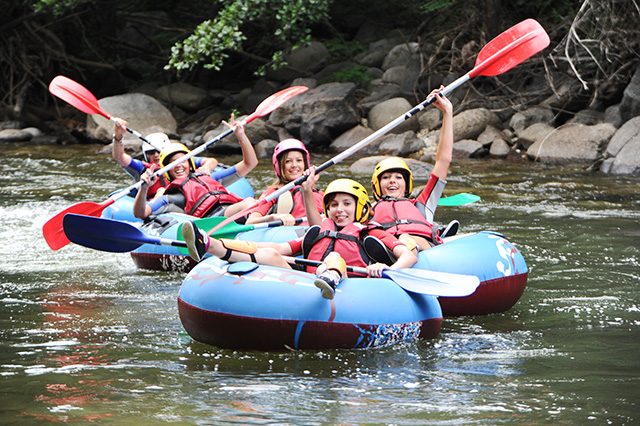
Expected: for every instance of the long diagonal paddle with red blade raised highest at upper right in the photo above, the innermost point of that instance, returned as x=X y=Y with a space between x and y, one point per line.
x=500 y=55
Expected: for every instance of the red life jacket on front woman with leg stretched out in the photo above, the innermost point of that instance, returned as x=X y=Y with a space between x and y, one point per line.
x=347 y=242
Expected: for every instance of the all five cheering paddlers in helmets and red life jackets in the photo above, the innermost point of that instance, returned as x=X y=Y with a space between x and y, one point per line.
x=345 y=228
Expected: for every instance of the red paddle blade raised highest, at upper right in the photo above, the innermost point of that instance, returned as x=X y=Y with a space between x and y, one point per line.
x=510 y=48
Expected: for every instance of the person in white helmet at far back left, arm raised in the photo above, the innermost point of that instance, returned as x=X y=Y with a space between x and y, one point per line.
x=151 y=152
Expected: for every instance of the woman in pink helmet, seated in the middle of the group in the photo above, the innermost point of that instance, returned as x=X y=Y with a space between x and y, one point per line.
x=290 y=160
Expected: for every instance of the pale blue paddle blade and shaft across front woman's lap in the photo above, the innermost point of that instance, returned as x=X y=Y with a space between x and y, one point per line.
x=416 y=280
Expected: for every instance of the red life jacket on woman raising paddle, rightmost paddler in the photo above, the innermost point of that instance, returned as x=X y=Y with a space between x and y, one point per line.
x=401 y=216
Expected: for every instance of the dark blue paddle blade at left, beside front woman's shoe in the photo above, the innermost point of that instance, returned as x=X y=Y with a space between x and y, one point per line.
x=104 y=234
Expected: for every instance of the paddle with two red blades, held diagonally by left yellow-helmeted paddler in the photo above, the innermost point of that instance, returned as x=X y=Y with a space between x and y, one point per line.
x=52 y=229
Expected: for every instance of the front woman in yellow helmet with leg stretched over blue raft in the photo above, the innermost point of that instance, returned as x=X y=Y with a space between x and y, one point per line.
x=337 y=241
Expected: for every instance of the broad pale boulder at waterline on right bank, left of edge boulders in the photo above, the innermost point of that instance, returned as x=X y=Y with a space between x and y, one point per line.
x=572 y=143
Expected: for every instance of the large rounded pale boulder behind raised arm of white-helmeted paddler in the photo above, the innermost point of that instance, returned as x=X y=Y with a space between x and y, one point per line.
x=143 y=113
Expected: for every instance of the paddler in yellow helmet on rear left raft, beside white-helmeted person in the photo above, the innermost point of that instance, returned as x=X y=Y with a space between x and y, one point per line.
x=194 y=191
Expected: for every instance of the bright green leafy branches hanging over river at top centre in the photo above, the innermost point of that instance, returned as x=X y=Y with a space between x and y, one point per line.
x=282 y=23
